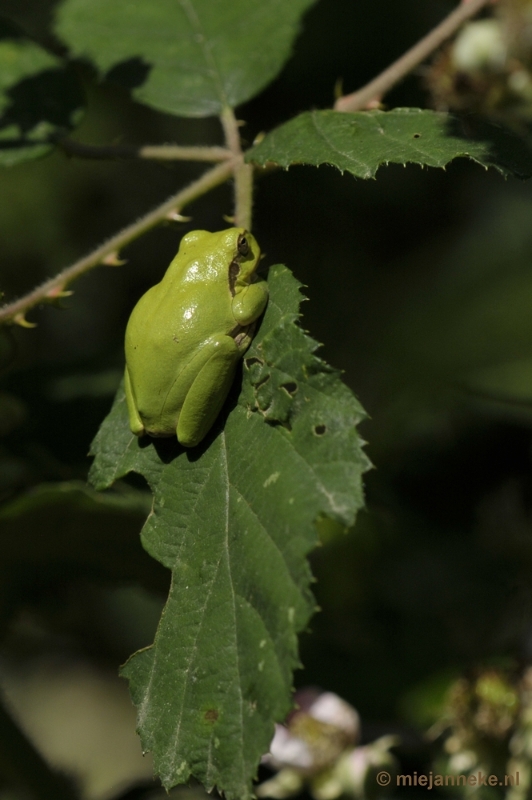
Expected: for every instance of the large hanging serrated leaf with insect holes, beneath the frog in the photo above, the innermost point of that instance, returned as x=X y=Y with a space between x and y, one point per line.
x=234 y=520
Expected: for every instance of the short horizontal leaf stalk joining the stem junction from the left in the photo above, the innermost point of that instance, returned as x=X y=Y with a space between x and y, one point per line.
x=166 y=152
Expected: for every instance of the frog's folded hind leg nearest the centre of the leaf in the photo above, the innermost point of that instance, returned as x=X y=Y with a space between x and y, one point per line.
x=208 y=392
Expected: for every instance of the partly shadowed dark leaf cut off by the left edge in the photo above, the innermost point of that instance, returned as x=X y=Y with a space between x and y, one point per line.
x=39 y=98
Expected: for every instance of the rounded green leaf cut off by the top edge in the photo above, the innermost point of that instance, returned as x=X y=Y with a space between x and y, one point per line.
x=190 y=57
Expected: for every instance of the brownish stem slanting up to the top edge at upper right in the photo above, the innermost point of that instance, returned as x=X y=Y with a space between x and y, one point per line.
x=372 y=93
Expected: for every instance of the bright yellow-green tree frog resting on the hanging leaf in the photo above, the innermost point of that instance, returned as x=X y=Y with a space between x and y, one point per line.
x=186 y=335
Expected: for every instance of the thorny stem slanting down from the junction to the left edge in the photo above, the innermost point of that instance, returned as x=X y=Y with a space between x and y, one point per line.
x=108 y=252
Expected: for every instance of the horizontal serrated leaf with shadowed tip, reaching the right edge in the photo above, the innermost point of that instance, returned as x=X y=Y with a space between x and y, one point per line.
x=360 y=143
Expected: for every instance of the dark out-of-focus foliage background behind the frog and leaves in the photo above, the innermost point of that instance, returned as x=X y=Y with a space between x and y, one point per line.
x=420 y=287
